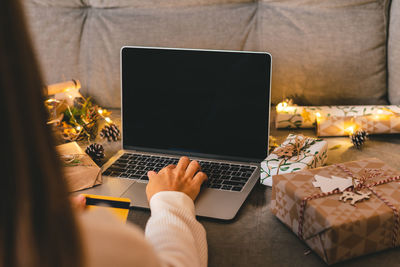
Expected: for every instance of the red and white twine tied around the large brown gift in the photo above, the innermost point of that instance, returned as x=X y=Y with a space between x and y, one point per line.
x=360 y=185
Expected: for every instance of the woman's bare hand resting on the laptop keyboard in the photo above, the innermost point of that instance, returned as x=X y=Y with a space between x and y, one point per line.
x=184 y=177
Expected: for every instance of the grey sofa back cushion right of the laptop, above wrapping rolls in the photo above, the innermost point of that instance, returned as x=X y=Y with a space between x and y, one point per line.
x=326 y=51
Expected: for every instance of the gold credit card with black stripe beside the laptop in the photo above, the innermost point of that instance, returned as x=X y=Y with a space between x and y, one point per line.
x=116 y=205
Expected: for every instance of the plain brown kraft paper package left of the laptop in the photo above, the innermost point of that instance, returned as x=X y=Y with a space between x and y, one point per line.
x=80 y=170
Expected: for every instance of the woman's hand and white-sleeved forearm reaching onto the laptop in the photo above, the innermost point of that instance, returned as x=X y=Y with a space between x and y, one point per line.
x=177 y=237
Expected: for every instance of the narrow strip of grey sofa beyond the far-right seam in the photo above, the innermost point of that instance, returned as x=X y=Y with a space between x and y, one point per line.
x=394 y=54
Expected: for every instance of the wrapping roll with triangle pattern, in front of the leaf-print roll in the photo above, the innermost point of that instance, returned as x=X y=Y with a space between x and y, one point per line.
x=373 y=124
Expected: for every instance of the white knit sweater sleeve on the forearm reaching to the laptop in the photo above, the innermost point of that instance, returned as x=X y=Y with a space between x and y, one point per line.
x=177 y=237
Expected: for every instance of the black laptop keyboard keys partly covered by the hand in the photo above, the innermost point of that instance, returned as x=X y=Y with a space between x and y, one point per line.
x=221 y=176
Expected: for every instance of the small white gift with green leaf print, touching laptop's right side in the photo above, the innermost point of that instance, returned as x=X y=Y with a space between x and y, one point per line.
x=313 y=154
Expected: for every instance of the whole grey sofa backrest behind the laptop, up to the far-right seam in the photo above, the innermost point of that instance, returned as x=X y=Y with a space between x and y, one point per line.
x=324 y=51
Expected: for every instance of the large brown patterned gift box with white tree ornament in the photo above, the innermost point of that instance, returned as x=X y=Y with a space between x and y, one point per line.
x=337 y=230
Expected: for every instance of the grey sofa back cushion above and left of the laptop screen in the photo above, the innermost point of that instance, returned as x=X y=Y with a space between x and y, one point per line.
x=105 y=26
